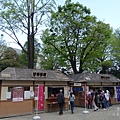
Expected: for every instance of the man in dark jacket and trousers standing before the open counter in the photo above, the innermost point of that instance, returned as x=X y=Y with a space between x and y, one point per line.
x=60 y=99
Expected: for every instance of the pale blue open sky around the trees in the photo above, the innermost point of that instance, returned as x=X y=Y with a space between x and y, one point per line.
x=107 y=11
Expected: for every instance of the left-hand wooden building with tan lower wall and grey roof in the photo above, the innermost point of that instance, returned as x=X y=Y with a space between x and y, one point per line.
x=19 y=90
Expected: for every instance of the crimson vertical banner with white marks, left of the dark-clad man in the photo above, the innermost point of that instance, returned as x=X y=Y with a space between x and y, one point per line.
x=40 y=97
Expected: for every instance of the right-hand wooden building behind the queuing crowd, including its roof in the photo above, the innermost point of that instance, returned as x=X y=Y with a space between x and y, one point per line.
x=95 y=82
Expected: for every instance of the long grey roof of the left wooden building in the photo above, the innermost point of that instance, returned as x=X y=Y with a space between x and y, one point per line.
x=11 y=73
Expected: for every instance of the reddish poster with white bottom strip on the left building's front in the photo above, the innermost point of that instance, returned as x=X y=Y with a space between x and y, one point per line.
x=17 y=94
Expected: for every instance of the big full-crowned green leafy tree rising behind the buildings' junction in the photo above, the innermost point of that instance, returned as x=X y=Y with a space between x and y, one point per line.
x=77 y=39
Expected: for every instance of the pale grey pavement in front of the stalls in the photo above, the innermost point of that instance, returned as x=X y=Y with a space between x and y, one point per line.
x=112 y=114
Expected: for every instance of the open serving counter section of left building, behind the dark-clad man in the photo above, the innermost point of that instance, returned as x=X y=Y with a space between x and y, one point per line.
x=51 y=104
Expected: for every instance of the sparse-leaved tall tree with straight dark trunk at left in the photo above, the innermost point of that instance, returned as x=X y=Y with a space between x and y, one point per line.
x=27 y=17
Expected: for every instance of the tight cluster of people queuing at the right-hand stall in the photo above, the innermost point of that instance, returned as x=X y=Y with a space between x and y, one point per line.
x=97 y=100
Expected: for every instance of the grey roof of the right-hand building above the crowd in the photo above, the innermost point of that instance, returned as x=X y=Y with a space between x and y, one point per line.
x=91 y=77
